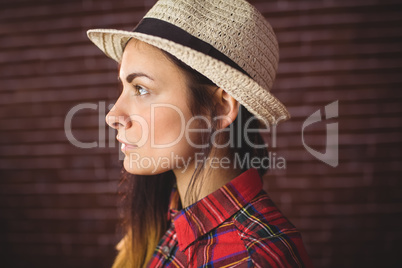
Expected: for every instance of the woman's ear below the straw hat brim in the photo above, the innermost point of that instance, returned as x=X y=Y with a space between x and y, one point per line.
x=227 y=108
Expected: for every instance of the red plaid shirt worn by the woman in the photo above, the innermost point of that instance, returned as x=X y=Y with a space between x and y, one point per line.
x=236 y=226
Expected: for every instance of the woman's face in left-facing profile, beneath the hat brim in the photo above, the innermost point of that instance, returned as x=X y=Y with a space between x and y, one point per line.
x=152 y=112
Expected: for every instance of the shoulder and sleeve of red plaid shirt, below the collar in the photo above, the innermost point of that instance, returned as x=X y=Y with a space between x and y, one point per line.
x=270 y=238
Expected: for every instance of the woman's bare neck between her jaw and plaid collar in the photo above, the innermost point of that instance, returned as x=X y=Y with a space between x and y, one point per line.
x=212 y=178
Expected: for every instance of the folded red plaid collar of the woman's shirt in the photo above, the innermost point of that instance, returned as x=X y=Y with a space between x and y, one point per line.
x=208 y=213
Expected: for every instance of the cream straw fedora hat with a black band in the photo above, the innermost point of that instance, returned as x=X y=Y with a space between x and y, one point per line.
x=228 y=41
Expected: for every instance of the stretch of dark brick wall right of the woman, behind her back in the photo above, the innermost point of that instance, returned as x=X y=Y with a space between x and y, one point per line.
x=348 y=51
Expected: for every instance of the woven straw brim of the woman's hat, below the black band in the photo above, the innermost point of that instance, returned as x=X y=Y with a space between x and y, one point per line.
x=245 y=90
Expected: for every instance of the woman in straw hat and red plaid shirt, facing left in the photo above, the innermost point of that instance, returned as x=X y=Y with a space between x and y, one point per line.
x=196 y=77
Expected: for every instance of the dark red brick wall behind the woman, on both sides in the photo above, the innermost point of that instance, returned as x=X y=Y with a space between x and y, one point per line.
x=58 y=202
